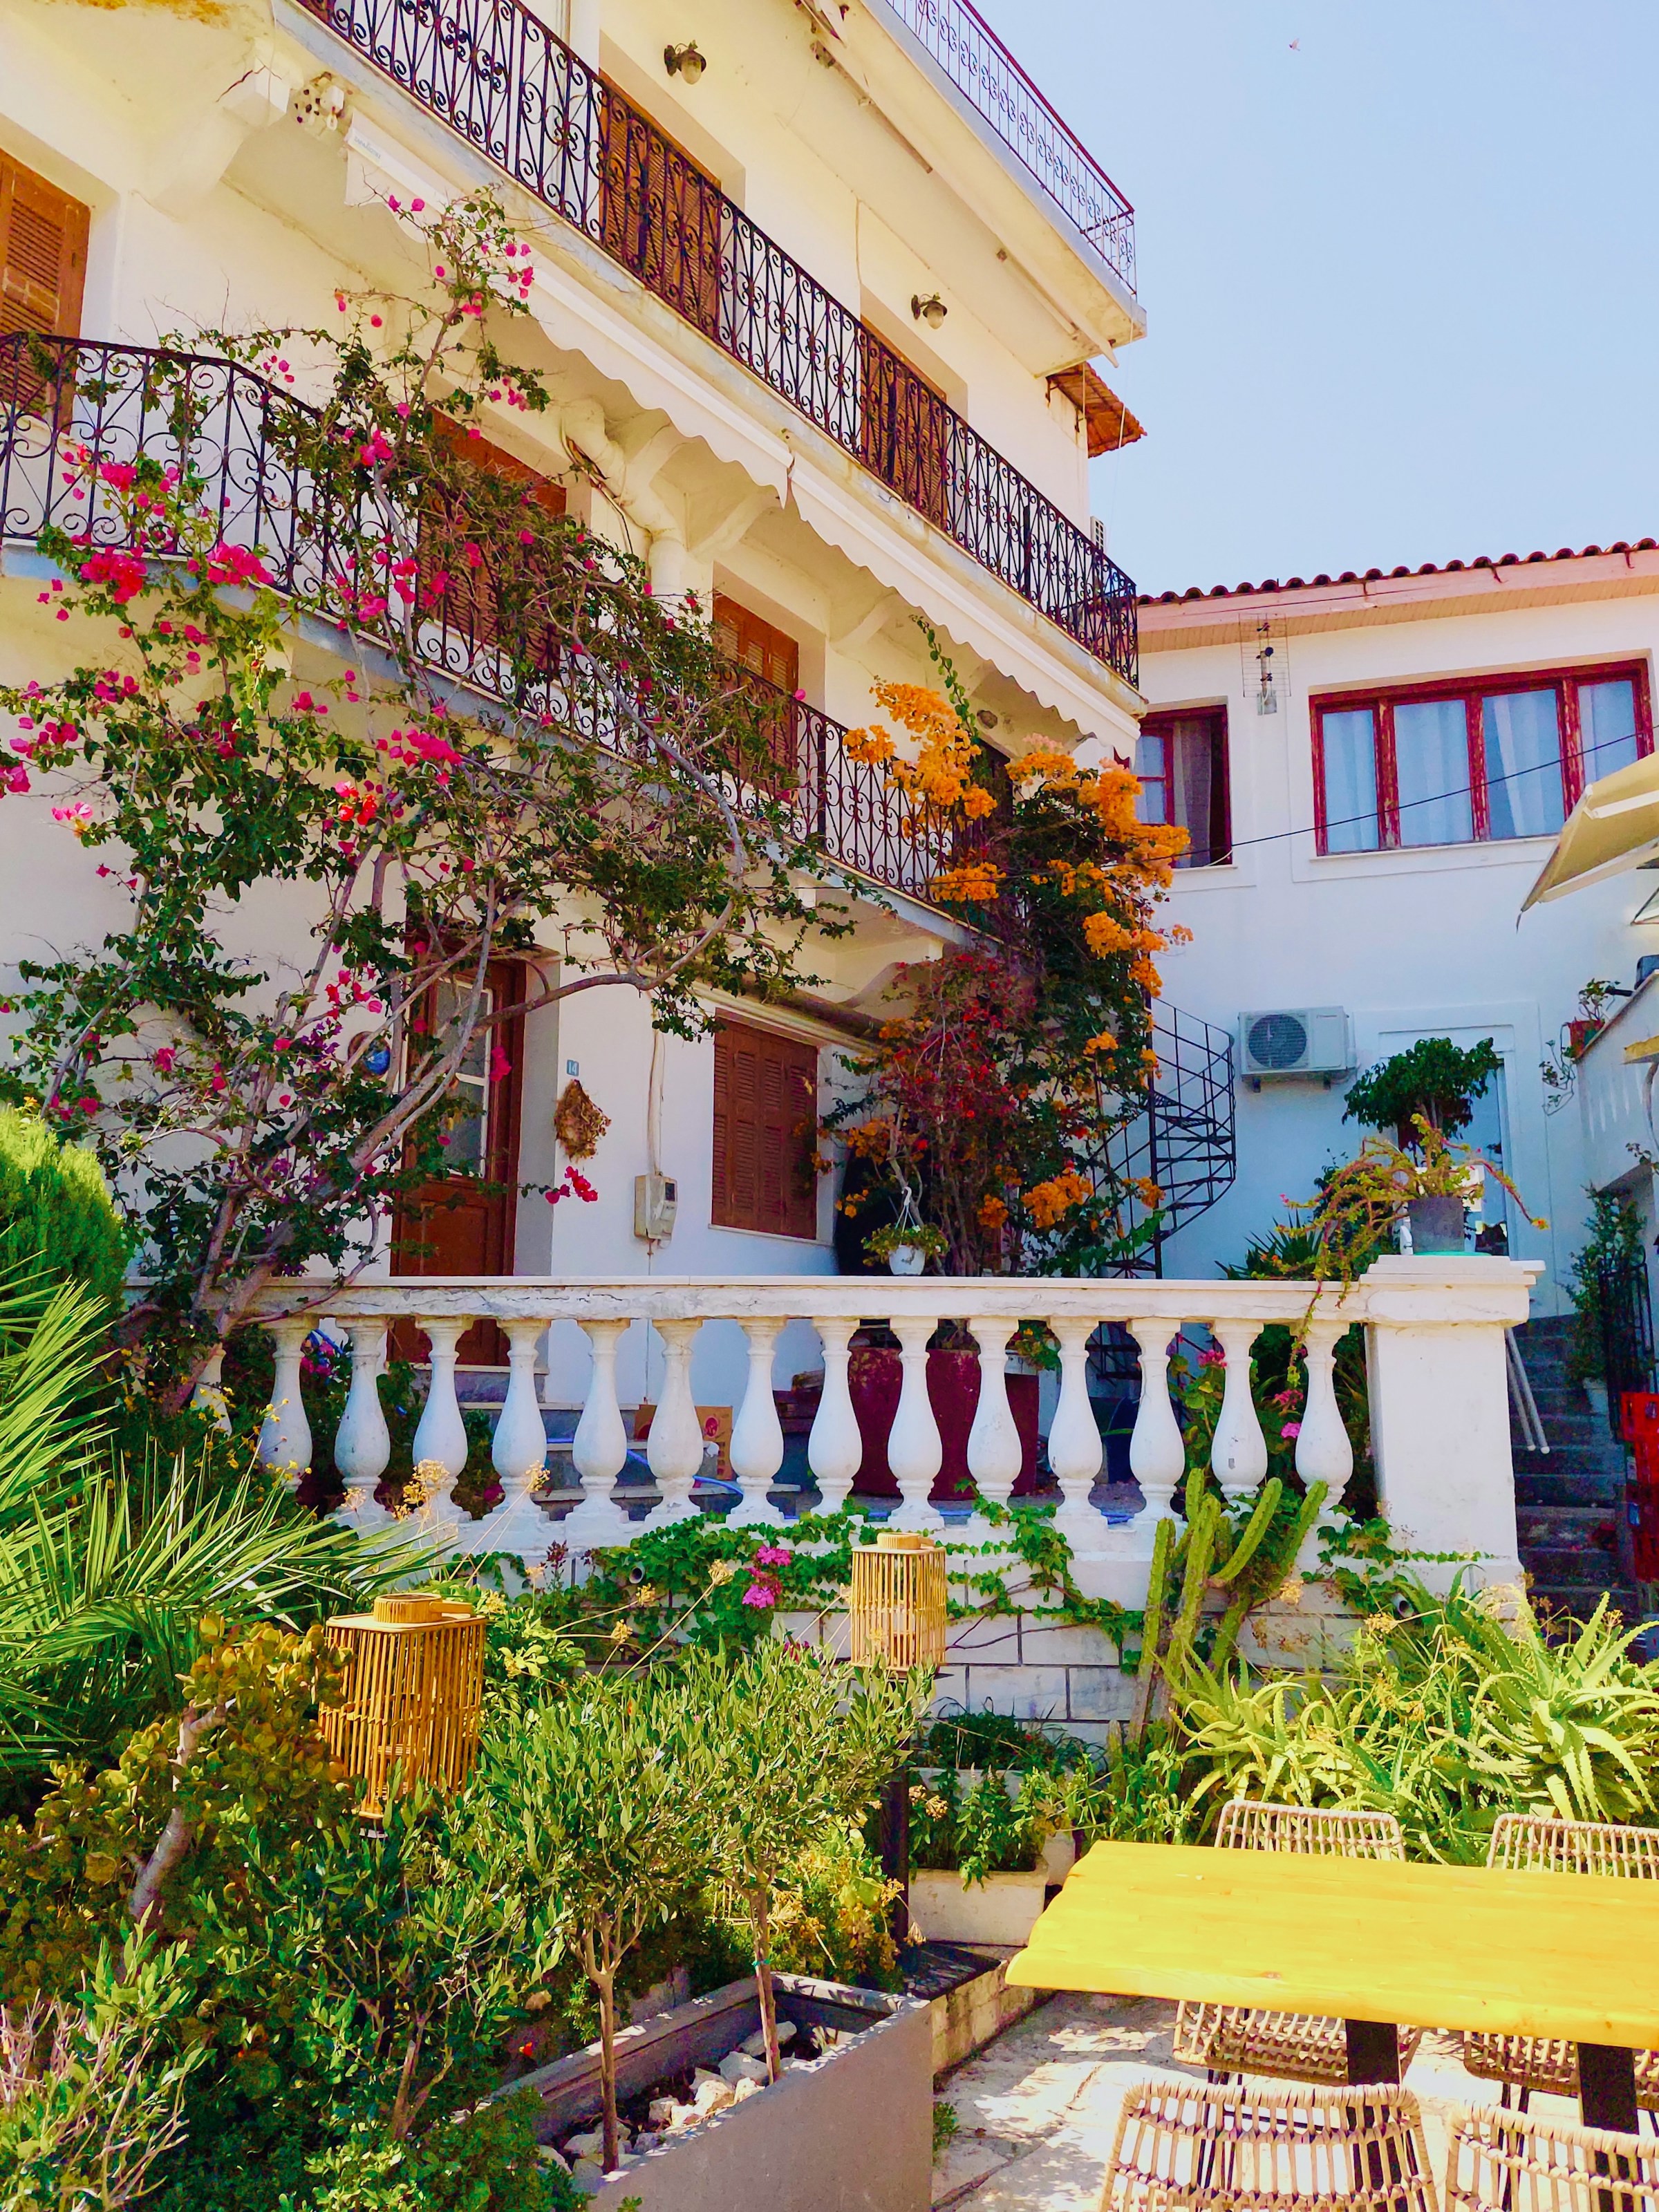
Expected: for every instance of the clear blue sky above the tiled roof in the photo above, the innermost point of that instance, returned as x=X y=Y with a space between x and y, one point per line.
x=1401 y=280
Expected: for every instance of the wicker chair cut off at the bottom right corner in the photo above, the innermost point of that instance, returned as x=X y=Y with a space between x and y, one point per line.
x=1510 y=2162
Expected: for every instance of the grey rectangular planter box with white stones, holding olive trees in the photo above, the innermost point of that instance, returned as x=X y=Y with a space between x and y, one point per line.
x=851 y=2131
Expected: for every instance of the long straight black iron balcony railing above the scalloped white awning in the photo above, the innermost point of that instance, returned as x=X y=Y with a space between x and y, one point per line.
x=517 y=94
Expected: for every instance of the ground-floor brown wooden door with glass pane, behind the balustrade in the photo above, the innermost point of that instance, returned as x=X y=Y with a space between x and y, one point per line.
x=463 y=1222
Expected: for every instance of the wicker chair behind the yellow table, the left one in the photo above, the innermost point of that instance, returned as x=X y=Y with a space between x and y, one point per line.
x=1297 y=2047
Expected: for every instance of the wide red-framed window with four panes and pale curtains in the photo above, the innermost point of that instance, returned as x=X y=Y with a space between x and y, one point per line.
x=1472 y=762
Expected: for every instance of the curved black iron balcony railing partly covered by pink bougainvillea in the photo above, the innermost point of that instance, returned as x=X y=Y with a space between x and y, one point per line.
x=236 y=435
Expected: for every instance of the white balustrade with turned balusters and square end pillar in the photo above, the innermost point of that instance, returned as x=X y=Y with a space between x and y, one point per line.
x=1434 y=1348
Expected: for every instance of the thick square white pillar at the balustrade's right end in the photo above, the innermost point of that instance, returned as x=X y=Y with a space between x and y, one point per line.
x=1441 y=1406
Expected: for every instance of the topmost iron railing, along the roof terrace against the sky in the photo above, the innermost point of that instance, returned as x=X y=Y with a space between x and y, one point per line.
x=981 y=67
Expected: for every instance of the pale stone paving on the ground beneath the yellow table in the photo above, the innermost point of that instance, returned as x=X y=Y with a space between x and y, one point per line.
x=1039 y=2107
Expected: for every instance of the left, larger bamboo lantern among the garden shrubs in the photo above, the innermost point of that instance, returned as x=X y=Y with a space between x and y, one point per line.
x=415 y=1691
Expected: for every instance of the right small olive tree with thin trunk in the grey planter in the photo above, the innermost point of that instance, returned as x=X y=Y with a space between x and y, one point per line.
x=789 y=1744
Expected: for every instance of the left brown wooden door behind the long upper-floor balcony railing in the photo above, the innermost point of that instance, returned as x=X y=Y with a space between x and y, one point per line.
x=660 y=213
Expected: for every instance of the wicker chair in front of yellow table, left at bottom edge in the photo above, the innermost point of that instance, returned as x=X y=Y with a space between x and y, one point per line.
x=1275 y=2151
